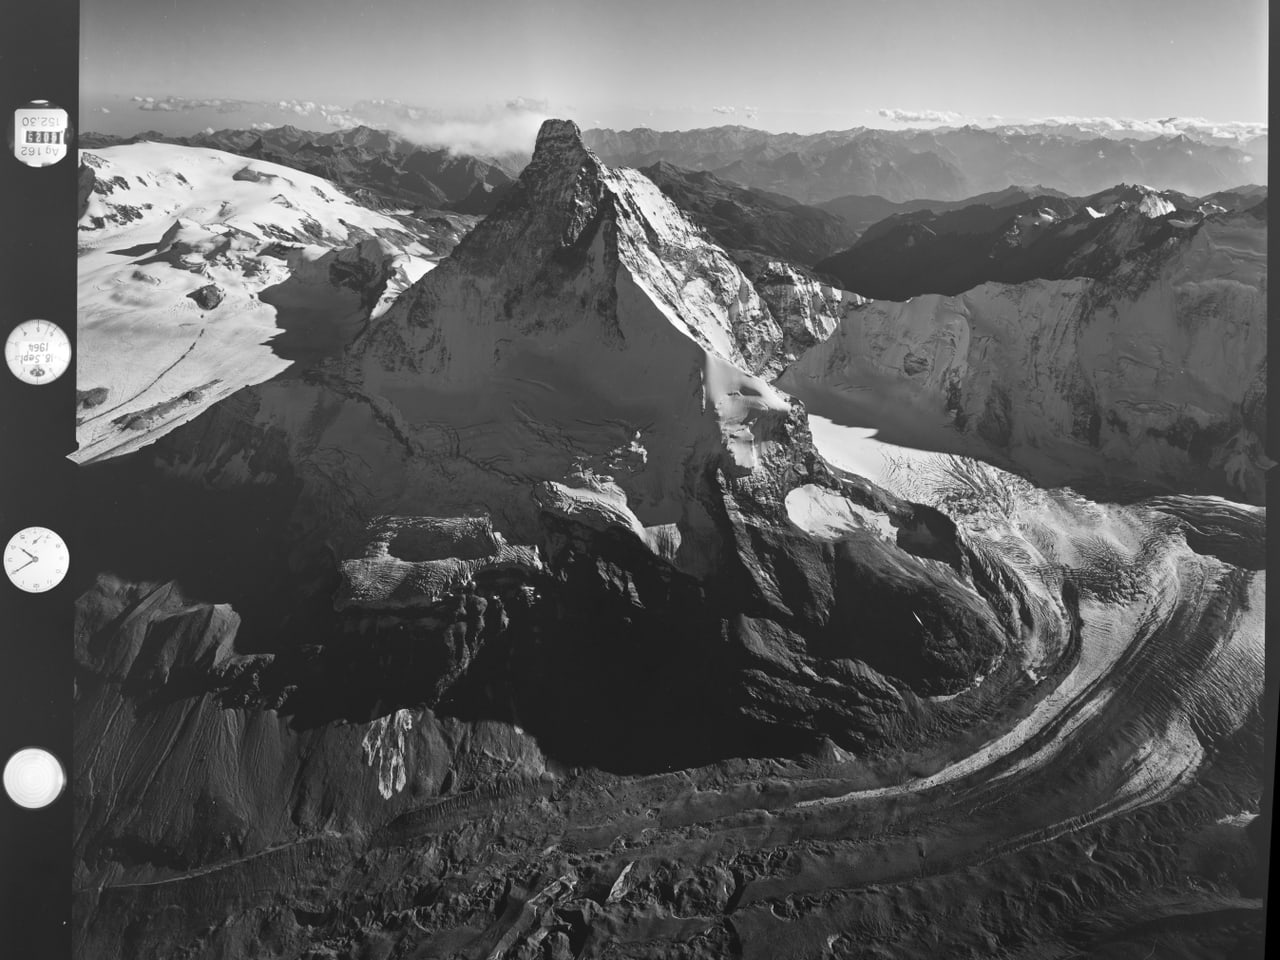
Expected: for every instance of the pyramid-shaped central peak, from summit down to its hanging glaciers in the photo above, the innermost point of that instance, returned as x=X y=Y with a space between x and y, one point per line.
x=583 y=316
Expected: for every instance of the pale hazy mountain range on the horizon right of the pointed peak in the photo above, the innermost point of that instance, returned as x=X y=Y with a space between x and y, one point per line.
x=943 y=164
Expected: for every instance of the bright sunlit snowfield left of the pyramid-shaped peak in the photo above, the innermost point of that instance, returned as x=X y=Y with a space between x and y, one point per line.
x=164 y=222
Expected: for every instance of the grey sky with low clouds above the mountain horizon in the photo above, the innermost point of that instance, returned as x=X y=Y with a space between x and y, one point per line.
x=495 y=68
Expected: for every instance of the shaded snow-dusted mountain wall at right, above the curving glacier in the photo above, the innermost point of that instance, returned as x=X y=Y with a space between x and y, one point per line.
x=1144 y=377
